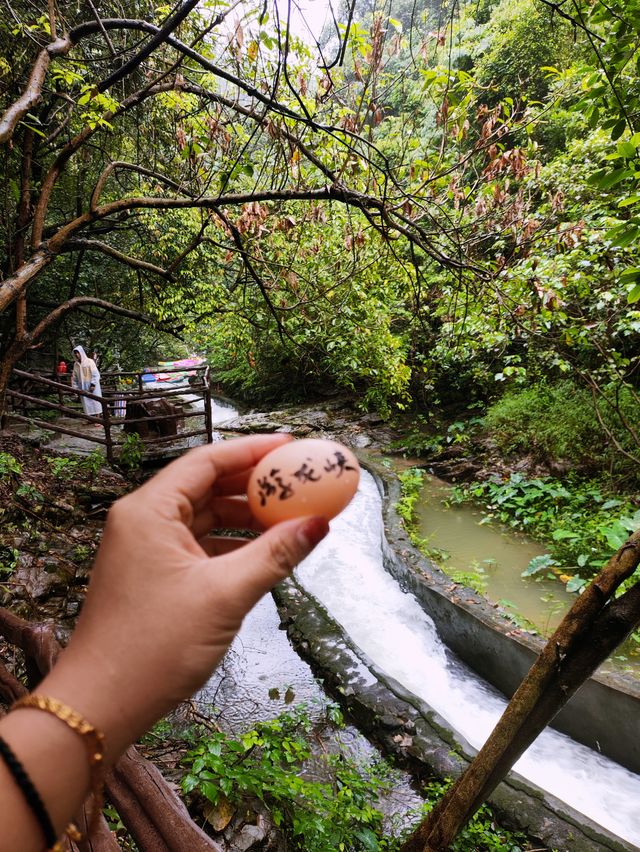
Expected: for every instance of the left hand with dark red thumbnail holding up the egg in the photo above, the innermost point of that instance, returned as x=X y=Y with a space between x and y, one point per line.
x=165 y=599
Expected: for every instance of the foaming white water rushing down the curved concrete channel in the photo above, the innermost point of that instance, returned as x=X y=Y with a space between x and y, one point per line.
x=346 y=575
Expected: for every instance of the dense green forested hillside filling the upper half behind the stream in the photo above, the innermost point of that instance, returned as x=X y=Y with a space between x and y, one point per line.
x=422 y=206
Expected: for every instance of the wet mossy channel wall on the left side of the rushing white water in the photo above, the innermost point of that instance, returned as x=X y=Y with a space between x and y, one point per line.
x=422 y=740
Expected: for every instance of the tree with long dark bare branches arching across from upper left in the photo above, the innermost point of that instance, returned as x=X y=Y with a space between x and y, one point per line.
x=117 y=121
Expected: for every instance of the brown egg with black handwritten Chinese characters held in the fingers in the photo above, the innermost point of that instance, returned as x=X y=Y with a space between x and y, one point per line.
x=306 y=477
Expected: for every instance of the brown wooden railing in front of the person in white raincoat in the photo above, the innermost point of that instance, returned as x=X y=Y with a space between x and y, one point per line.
x=122 y=392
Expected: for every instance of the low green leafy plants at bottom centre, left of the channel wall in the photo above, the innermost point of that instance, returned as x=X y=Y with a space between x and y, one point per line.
x=268 y=762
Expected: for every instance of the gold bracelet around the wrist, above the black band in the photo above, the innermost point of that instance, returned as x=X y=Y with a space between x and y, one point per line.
x=94 y=742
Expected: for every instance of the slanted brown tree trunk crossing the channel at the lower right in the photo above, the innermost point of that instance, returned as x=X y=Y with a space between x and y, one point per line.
x=588 y=634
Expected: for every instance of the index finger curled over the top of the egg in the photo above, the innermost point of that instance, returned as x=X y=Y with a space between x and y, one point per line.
x=193 y=474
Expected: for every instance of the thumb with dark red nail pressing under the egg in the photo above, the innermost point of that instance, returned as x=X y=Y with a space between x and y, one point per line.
x=267 y=560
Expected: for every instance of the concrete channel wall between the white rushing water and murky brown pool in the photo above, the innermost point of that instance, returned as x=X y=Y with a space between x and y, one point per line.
x=604 y=714
